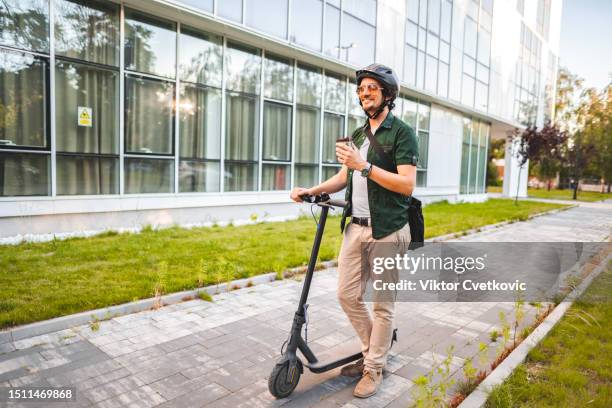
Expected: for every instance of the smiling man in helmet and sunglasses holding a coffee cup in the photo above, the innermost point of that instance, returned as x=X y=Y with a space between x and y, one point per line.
x=377 y=190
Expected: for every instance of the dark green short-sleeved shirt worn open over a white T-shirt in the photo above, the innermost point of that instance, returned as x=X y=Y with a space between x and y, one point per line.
x=388 y=210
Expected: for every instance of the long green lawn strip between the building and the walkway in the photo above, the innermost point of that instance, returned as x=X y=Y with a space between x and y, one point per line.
x=44 y=280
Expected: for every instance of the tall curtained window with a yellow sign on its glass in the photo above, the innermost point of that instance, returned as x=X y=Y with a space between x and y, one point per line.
x=87 y=154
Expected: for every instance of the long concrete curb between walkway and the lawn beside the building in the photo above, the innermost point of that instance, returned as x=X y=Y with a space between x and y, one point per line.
x=66 y=322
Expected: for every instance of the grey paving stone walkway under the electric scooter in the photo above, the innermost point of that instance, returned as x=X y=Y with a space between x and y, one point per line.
x=219 y=354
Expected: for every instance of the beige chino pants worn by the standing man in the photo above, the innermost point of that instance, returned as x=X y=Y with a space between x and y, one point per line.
x=374 y=332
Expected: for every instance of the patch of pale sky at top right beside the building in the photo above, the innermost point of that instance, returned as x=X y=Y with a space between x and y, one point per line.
x=586 y=40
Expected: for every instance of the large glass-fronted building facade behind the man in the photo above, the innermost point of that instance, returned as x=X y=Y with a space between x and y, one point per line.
x=185 y=98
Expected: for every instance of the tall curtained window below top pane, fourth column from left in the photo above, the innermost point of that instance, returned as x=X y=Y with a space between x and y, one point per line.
x=200 y=138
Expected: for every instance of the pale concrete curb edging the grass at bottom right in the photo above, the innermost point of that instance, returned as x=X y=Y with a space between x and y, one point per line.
x=478 y=397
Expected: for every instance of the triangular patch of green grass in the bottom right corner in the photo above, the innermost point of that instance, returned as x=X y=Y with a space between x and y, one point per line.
x=571 y=367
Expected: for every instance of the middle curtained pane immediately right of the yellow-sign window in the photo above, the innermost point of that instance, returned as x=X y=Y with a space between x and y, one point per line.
x=149 y=116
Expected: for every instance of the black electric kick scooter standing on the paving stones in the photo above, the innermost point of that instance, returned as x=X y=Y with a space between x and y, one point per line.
x=288 y=369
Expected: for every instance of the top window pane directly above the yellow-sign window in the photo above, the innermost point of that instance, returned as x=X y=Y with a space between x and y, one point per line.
x=87 y=30
